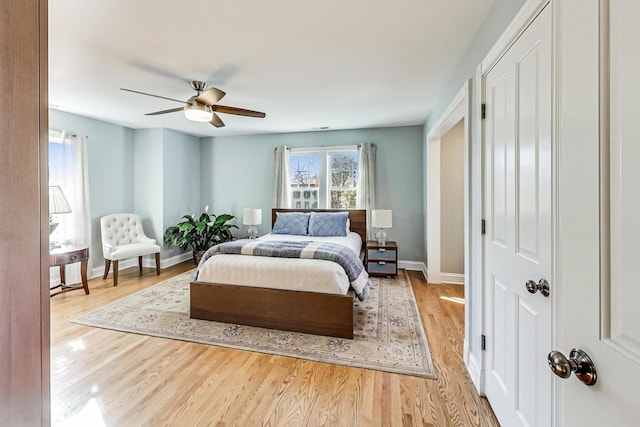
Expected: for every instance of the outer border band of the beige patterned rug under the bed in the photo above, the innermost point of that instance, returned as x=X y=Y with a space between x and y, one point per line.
x=428 y=372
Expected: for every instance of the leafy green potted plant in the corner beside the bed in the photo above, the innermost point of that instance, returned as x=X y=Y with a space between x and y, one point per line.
x=200 y=233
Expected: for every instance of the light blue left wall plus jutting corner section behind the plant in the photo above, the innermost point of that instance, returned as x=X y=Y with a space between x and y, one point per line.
x=152 y=172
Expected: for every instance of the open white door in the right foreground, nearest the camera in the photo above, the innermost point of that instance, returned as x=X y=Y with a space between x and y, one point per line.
x=598 y=299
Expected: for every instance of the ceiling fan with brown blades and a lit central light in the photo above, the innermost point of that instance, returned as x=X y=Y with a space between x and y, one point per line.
x=202 y=107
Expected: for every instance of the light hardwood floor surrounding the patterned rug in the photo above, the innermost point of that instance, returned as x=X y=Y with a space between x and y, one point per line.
x=119 y=379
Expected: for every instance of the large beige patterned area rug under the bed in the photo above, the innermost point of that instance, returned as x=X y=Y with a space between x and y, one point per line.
x=388 y=332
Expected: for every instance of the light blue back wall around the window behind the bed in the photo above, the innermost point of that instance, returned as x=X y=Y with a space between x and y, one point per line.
x=237 y=173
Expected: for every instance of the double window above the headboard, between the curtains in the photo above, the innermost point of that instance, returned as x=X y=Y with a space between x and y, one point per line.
x=324 y=177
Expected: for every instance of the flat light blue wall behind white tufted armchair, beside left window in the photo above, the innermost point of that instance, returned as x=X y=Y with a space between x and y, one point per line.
x=110 y=158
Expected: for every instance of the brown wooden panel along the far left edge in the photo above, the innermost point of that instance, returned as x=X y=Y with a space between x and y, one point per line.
x=24 y=271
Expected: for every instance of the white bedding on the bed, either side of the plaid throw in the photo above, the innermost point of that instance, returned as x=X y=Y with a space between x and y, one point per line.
x=310 y=275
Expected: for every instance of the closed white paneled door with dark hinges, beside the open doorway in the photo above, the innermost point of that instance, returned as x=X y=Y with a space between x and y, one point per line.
x=517 y=244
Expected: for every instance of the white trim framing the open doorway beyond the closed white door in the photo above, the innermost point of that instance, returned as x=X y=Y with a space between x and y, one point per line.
x=458 y=109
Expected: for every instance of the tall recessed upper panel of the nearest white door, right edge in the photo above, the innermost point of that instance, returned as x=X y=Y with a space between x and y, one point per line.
x=620 y=305
